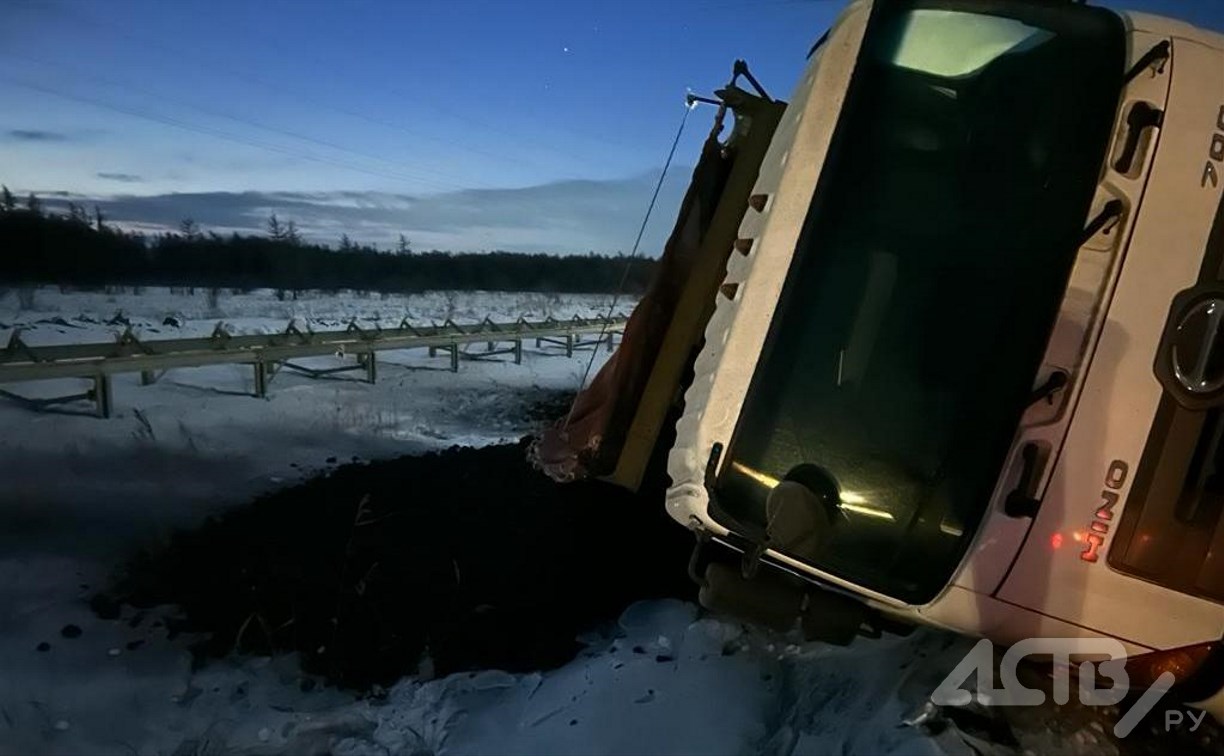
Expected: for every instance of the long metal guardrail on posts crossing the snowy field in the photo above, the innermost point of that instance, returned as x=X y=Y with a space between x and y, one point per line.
x=271 y=353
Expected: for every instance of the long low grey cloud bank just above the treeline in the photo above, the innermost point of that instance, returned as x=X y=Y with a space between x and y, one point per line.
x=562 y=217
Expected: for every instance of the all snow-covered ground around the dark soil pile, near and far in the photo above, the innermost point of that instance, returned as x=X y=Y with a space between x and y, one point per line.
x=81 y=494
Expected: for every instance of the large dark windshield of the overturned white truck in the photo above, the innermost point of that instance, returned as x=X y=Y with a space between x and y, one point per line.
x=927 y=281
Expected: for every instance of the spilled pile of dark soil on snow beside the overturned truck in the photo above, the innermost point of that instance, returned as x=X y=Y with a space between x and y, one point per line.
x=469 y=556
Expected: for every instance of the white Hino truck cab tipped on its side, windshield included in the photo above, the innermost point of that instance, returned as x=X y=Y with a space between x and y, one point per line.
x=979 y=319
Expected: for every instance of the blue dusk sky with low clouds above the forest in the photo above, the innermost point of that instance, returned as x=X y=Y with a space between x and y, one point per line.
x=465 y=124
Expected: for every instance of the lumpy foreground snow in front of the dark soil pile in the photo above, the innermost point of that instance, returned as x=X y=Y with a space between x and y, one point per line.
x=668 y=682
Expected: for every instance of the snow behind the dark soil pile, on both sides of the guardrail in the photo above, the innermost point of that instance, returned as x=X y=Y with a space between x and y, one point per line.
x=198 y=440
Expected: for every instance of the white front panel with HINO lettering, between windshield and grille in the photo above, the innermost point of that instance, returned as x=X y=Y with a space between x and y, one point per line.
x=1122 y=393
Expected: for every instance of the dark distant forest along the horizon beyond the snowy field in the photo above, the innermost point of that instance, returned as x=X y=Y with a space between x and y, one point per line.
x=81 y=249
